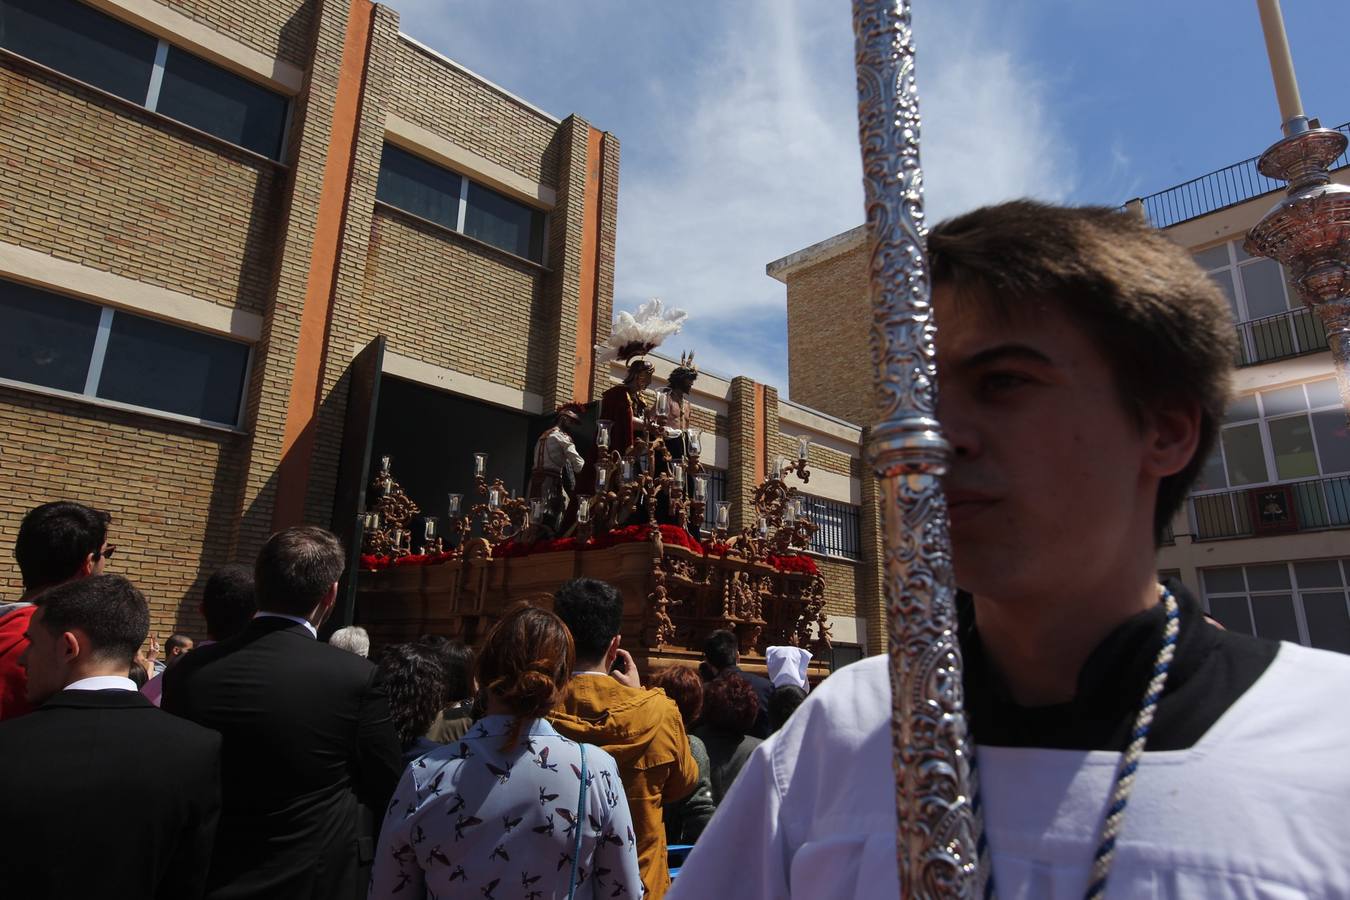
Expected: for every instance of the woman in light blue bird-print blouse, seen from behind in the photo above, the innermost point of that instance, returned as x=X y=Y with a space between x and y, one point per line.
x=504 y=813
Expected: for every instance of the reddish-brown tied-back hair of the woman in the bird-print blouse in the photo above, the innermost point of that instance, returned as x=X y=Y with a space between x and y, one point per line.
x=526 y=662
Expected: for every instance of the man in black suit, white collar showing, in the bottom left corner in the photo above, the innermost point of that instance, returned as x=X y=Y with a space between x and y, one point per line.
x=102 y=795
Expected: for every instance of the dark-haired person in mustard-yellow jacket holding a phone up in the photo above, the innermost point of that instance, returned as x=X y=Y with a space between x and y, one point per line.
x=607 y=706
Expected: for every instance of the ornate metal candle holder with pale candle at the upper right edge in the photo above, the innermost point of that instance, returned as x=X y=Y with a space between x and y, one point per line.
x=1309 y=231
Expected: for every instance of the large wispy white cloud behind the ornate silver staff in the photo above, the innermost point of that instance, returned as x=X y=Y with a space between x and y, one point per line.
x=769 y=161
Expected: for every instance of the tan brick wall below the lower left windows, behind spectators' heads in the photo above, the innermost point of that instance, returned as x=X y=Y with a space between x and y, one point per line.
x=169 y=489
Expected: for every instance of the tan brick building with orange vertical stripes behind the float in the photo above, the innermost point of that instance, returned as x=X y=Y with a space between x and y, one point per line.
x=245 y=248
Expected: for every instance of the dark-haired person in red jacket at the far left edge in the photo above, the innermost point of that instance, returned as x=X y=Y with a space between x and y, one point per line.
x=57 y=543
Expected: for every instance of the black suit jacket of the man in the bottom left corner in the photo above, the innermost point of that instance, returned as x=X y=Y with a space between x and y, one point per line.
x=102 y=795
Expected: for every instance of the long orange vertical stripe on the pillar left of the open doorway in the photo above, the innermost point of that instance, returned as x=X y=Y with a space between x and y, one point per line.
x=307 y=380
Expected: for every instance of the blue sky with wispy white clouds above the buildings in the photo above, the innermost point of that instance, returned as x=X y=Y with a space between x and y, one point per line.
x=739 y=133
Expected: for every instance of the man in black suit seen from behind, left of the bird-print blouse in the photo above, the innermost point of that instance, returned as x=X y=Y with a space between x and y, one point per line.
x=307 y=735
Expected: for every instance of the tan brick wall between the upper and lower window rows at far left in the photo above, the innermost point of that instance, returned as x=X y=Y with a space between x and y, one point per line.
x=95 y=181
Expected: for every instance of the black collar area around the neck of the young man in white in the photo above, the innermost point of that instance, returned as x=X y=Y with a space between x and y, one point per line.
x=1210 y=671
